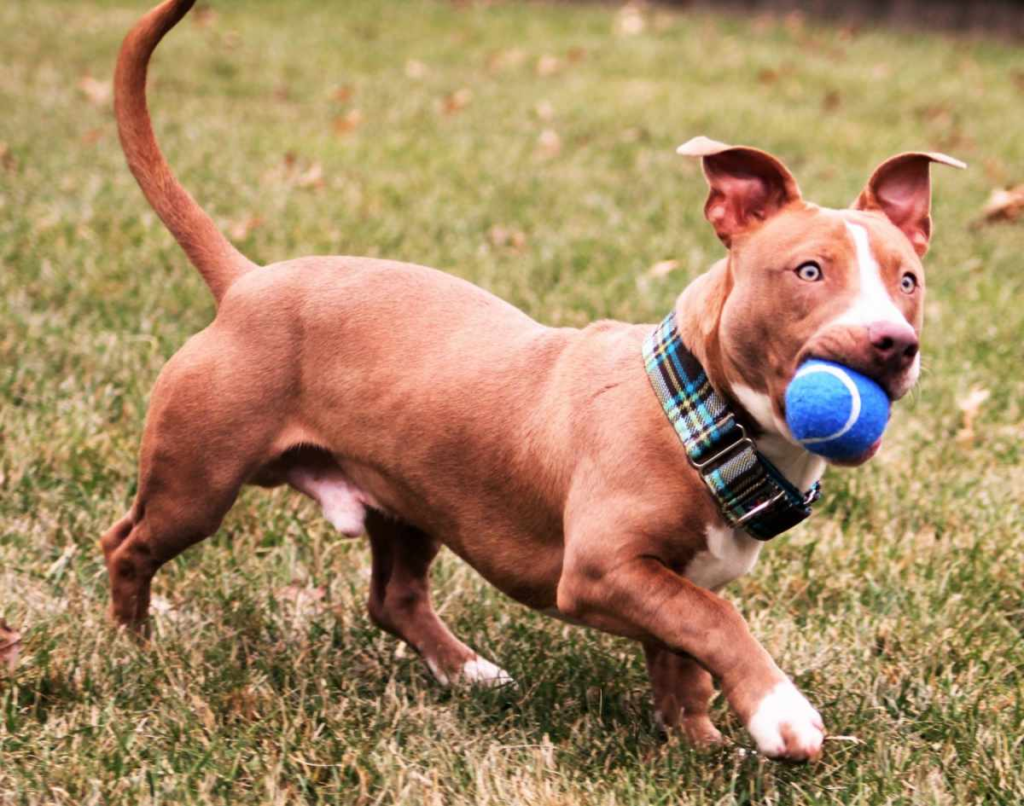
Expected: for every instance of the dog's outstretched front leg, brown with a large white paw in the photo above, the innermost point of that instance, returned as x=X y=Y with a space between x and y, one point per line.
x=631 y=593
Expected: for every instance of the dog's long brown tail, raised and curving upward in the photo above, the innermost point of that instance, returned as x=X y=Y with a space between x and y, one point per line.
x=219 y=262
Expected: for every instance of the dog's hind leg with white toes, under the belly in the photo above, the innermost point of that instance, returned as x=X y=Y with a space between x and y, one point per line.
x=400 y=604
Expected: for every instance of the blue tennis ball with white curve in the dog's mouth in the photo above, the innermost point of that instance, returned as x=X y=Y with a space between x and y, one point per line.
x=835 y=412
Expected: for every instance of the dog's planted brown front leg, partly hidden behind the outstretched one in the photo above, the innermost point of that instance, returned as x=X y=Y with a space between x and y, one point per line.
x=682 y=692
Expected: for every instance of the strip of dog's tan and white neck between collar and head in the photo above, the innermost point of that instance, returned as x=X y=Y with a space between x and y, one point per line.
x=699 y=315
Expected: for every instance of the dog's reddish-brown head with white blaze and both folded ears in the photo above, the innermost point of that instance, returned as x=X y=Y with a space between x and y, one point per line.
x=803 y=281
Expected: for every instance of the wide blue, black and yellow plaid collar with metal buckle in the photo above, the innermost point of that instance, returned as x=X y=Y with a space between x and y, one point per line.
x=750 y=491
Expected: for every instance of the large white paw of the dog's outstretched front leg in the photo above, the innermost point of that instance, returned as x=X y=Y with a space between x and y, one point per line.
x=786 y=727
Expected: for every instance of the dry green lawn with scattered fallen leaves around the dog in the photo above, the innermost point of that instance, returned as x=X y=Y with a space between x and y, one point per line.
x=531 y=150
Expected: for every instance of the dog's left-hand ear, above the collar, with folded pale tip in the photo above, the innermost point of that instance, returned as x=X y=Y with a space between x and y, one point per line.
x=748 y=187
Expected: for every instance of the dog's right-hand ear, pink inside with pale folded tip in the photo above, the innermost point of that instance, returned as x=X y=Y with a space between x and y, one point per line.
x=902 y=189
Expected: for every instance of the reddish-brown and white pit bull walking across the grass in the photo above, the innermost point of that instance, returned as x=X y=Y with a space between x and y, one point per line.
x=423 y=411
